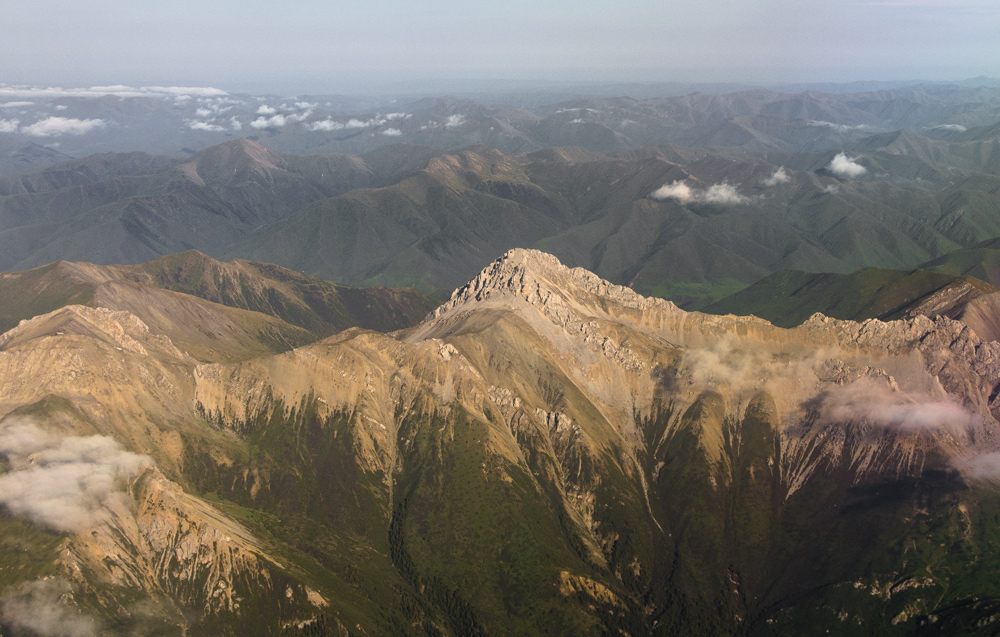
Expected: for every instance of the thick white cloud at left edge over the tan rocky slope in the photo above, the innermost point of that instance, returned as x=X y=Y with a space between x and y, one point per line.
x=63 y=483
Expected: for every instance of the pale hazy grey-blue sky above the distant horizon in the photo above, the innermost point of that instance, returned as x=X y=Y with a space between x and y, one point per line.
x=325 y=46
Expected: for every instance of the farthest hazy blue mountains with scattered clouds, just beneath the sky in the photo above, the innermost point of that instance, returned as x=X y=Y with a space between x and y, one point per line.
x=39 y=125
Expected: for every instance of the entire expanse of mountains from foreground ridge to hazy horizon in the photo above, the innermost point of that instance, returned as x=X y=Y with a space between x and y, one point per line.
x=436 y=365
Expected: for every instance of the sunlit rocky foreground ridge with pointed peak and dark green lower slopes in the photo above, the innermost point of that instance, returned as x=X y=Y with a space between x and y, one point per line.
x=547 y=452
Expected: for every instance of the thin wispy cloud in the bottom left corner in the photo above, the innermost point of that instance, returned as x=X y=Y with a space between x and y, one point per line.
x=37 y=608
